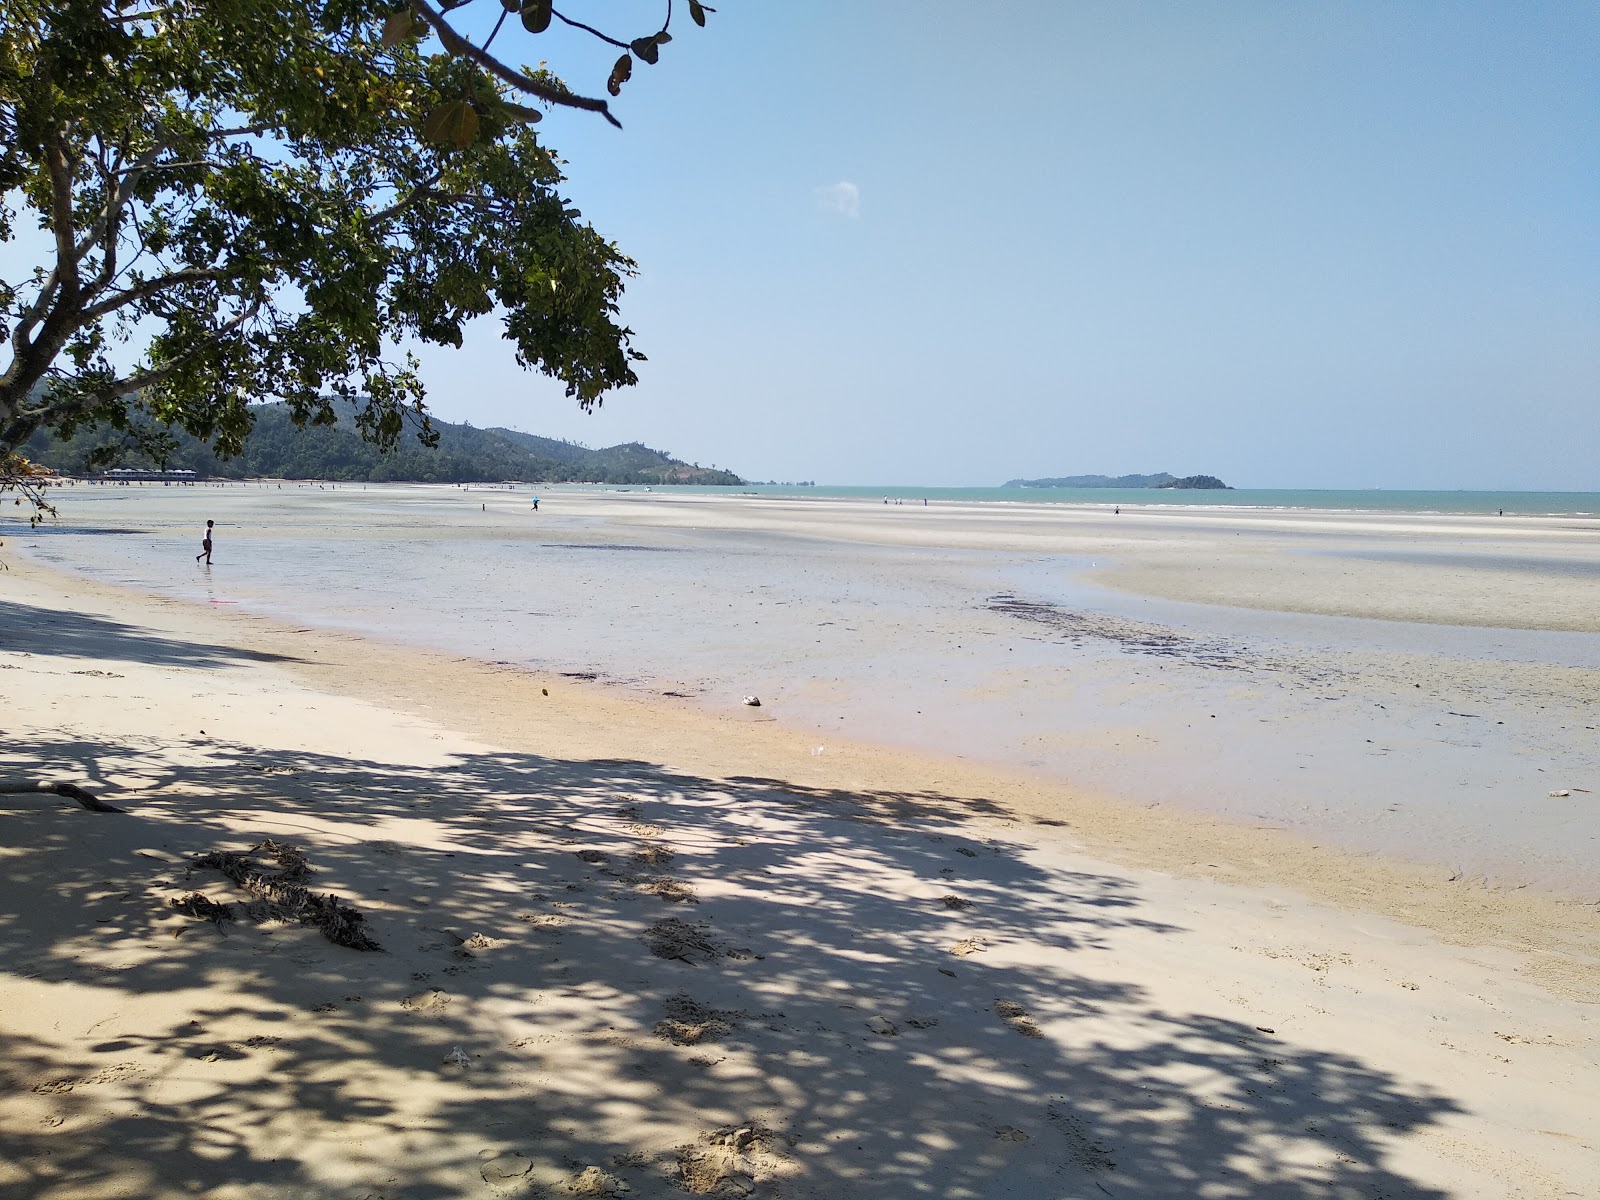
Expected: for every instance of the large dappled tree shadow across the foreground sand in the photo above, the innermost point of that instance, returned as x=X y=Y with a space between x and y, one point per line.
x=817 y=996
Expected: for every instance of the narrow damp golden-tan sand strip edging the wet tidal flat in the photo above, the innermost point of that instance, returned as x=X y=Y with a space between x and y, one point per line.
x=489 y=702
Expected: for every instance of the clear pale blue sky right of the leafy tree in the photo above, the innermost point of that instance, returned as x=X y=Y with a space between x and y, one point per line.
x=948 y=244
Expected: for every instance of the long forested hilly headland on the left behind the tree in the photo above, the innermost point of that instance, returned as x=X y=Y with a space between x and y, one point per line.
x=278 y=449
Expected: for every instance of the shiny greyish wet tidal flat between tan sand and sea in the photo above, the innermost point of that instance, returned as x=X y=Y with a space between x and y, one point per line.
x=1079 y=649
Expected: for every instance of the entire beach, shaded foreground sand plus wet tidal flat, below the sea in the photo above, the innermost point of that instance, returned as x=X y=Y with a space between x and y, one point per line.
x=641 y=945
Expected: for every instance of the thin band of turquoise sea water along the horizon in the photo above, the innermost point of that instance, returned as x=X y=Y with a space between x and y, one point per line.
x=1372 y=500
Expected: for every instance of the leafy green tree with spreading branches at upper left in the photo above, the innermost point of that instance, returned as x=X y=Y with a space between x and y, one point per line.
x=262 y=199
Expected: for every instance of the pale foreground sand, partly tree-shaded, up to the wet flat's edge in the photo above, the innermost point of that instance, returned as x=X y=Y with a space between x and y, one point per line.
x=916 y=977
